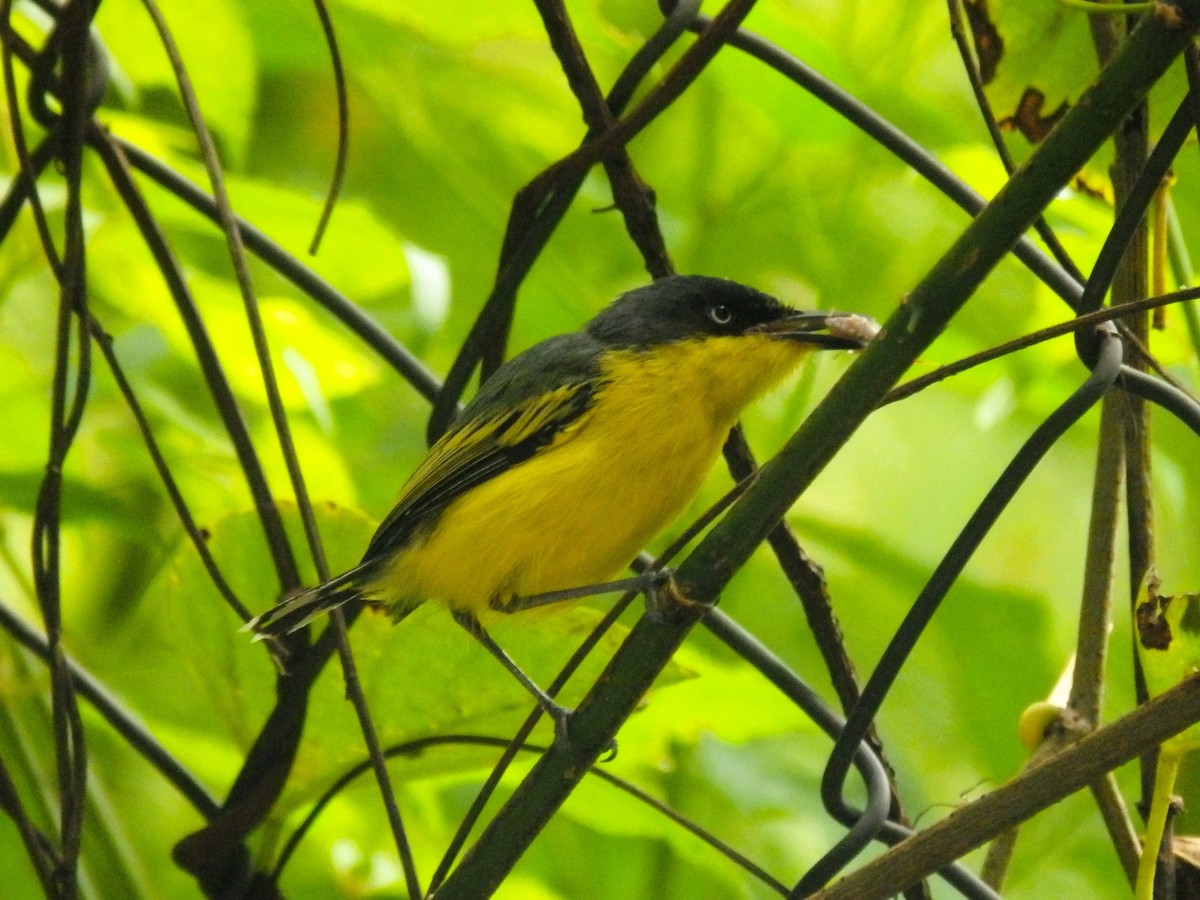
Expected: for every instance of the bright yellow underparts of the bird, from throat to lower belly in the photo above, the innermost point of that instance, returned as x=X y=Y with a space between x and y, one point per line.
x=581 y=509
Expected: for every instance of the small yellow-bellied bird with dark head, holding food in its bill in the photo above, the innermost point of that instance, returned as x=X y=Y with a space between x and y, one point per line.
x=574 y=455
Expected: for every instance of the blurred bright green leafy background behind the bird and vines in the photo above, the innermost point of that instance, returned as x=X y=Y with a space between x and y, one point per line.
x=453 y=110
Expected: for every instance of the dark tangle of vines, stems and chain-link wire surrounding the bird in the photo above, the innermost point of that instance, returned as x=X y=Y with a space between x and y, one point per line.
x=68 y=69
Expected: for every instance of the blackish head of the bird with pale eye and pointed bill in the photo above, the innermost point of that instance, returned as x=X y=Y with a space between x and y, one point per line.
x=692 y=307
